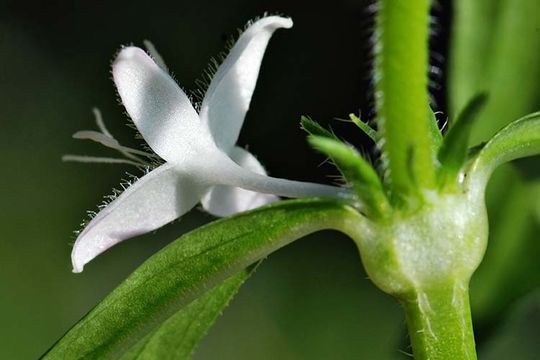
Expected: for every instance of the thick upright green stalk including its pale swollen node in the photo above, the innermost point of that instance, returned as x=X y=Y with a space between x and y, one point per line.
x=433 y=289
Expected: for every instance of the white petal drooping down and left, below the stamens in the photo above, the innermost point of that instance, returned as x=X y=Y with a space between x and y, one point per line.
x=156 y=199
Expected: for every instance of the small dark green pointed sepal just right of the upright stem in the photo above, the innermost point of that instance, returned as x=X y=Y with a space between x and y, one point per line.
x=453 y=152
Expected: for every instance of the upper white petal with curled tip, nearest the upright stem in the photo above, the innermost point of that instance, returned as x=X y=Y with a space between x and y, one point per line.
x=229 y=94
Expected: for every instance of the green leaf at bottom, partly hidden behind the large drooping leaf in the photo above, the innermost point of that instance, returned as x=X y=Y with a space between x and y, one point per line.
x=179 y=335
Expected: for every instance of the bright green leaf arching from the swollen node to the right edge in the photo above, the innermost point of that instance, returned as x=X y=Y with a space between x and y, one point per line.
x=519 y=139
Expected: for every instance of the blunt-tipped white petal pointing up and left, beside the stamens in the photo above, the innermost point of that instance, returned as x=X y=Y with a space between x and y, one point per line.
x=159 y=108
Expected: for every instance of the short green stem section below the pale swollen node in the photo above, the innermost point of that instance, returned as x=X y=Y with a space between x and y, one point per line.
x=439 y=322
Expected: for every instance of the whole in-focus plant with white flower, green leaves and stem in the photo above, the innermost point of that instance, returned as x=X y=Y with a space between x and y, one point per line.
x=419 y=219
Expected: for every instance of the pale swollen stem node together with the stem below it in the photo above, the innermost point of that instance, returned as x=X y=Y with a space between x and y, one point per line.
x=425 y=259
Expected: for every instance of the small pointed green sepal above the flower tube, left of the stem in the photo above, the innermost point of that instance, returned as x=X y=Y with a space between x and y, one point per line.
x=357 y=171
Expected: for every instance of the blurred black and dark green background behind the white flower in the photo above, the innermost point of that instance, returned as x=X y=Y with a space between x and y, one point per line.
x=311 y=300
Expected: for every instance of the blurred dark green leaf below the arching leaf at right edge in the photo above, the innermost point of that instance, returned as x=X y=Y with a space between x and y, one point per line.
x=509 y=268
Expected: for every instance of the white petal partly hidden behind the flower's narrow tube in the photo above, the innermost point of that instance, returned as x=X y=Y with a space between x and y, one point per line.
x=227 y=200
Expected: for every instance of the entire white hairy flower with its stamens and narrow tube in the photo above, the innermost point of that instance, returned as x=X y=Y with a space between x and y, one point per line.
x=202 y=163
